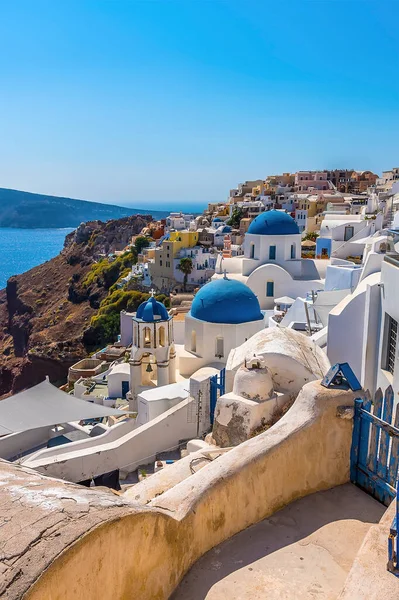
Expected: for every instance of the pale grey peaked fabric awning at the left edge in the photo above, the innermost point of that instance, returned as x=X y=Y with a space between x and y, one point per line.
x=44 y=405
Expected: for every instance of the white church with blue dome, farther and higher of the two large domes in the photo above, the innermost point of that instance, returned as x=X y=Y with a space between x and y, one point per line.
x=271 y=265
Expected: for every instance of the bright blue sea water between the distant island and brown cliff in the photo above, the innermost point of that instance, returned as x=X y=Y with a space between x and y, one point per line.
x=23 y=249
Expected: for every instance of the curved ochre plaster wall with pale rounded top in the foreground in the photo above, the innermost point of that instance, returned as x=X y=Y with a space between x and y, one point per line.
x=149 y=549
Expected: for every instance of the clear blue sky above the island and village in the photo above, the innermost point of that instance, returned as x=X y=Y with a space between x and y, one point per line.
x=160 y=102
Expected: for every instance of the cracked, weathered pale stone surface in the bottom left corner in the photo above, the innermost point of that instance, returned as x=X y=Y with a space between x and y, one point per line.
x=39 y=518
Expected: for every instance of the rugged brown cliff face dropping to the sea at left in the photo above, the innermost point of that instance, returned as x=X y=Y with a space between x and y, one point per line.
x=45 y=311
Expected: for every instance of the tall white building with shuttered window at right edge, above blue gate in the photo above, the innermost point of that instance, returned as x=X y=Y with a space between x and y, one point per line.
x=362 y=328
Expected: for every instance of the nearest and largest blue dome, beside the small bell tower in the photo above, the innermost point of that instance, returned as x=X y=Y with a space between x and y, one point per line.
x=226 y=301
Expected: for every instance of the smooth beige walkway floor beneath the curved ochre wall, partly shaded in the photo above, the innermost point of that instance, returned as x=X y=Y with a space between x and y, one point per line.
x=302 y=552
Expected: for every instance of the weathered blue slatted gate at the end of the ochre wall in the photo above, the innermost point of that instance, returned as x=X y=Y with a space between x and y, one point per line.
x=375 y=446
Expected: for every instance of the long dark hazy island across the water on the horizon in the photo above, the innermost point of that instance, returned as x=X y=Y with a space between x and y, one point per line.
x=27 y=210
